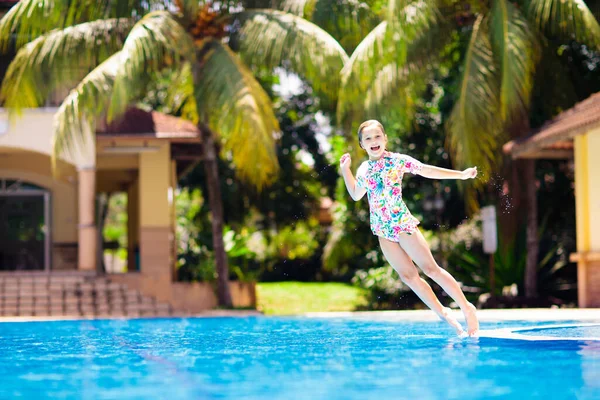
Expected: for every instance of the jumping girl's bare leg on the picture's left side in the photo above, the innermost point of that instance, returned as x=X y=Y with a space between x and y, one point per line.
x=409 y=274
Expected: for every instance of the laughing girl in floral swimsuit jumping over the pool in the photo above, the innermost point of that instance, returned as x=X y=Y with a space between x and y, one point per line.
x=400 y=239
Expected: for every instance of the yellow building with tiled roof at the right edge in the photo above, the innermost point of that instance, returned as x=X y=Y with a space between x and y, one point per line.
x=575 y=134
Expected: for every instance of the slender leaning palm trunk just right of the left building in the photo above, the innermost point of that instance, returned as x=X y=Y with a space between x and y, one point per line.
x=216 y=206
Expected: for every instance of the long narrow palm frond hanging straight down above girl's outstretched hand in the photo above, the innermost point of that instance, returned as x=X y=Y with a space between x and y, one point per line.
x=472 y=127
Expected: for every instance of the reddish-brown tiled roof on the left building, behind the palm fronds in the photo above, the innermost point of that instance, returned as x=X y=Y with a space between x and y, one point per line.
x=139 y=123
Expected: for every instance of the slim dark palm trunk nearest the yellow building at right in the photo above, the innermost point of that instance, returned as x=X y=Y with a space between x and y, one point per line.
x=532 y=231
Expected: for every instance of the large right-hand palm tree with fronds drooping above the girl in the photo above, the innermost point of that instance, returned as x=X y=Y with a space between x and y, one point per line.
x=507 y=39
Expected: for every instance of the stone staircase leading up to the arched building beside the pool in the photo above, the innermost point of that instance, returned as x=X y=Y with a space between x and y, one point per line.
x=73 y=295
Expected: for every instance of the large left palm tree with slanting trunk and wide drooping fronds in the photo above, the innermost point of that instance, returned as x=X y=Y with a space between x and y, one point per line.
x=106 y=52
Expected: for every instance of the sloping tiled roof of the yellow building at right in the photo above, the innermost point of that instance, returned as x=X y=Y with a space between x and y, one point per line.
x=557 y=134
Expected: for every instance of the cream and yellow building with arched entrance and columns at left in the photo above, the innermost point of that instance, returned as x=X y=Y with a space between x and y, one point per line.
x=48 y=222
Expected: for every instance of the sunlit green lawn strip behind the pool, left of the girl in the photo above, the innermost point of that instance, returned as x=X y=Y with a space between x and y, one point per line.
x=286 y=298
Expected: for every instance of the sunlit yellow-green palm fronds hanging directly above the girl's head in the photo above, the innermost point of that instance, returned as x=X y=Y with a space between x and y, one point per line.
x=389 y=48
